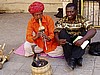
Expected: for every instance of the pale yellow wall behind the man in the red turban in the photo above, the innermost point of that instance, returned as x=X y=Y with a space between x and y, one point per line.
x=11 y=6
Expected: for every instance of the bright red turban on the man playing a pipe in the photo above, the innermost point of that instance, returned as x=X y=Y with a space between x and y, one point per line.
x=36 y=7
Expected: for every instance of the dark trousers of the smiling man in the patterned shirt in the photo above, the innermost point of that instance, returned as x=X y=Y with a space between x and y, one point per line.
x=71 y=51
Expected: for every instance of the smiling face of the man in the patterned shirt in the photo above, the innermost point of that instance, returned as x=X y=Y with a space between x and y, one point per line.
x=71 y=13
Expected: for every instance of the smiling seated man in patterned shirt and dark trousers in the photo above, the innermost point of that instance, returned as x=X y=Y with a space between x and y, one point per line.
x=67 y=29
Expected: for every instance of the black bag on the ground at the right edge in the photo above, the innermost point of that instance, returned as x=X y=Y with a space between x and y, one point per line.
x=94 y=49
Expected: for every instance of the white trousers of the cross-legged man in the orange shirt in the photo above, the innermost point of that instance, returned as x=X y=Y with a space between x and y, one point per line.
x=28 y=50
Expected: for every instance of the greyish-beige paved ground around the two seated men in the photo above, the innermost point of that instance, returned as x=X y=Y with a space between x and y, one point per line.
x=12 y=32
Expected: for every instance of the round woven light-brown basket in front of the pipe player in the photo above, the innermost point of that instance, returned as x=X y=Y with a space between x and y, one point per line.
x=45 y=70
